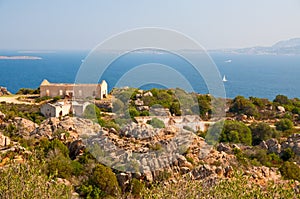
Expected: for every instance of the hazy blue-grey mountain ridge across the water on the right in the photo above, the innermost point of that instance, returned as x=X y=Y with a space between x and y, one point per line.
x=287 y=47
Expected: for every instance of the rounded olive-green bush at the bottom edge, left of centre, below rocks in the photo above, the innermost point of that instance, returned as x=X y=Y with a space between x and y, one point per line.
x=103 y=178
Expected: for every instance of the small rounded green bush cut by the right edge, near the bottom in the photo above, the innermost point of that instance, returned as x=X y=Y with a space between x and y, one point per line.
x=290 y=170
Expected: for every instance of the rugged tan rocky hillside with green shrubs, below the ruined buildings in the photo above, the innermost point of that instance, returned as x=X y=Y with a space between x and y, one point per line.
x=137 y=153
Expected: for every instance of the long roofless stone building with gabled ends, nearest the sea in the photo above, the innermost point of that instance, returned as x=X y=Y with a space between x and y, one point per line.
x=78 y=91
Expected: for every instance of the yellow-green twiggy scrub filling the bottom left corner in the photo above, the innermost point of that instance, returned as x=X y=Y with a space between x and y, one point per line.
x=27 y=180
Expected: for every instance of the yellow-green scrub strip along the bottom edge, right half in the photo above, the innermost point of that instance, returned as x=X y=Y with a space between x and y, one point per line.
x=237 y=187
